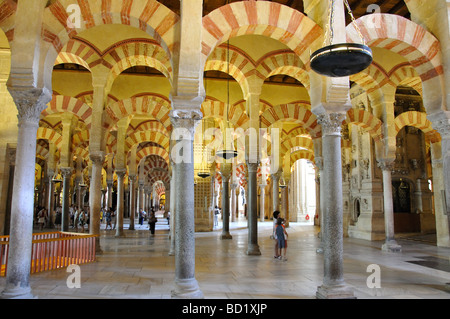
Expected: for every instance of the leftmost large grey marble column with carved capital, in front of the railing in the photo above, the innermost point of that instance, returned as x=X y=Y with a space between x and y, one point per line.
x=30 y=103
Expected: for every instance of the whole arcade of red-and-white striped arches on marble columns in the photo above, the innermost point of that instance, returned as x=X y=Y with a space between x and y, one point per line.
x=106 y=95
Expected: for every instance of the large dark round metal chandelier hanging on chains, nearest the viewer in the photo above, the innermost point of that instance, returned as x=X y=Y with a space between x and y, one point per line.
x=342 y=59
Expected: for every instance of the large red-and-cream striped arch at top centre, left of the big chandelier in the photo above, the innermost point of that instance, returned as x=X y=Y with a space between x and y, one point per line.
x=271 y=19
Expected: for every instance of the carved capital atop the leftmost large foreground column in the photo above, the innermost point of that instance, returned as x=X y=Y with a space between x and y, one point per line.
x=30 y=103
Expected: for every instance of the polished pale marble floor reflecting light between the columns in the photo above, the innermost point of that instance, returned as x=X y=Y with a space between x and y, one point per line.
x=139 y=267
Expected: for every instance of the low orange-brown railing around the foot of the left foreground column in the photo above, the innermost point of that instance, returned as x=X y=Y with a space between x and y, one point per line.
x=53 y=250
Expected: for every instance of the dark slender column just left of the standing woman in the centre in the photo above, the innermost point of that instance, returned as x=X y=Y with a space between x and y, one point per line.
x=253 y=248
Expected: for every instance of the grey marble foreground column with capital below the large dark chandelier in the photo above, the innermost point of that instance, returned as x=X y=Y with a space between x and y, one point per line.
x=333 y=285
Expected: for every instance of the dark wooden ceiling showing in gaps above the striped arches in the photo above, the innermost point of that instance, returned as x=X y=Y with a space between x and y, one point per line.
x=359 y=7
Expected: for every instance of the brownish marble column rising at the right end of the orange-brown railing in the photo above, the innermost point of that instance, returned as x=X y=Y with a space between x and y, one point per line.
x=95 y=196
